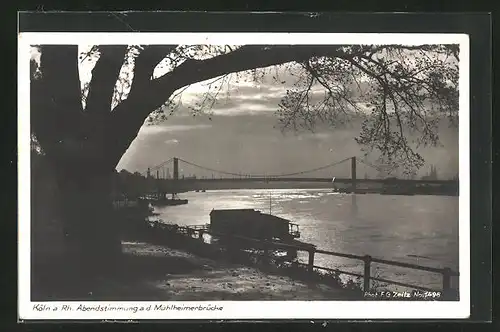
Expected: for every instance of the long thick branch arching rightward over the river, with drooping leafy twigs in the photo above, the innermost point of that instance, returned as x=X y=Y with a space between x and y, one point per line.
x=257 y=56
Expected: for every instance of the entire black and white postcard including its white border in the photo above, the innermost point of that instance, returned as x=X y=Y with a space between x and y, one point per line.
x=226 y=175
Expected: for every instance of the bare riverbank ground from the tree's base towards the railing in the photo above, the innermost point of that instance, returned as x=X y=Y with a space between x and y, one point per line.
x=149 y=272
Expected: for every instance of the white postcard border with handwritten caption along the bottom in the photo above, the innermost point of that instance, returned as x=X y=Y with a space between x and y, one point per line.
x=29 y=310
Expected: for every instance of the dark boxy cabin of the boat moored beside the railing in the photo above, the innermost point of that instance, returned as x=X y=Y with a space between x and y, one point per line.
x=252 y=223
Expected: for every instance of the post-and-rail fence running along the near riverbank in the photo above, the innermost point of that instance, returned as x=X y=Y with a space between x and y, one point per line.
x=446 y=273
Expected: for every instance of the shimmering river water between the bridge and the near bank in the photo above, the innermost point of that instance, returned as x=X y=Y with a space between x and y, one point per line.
x=414 y=229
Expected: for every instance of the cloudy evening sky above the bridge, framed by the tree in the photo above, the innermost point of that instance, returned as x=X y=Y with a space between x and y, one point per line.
x=242 y=135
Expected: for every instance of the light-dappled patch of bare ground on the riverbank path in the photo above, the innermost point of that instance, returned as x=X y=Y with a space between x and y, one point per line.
x=207 y=279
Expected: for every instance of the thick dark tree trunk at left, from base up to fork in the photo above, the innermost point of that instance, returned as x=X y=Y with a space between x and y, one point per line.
x=82 y=152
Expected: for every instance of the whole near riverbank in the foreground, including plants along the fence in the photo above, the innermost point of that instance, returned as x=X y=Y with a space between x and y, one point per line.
x=165 y=262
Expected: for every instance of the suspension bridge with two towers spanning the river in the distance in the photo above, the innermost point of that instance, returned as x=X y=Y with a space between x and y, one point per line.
x=181 y=180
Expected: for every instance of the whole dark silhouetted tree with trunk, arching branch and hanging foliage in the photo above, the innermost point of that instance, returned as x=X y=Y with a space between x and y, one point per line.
x=409 y=89
